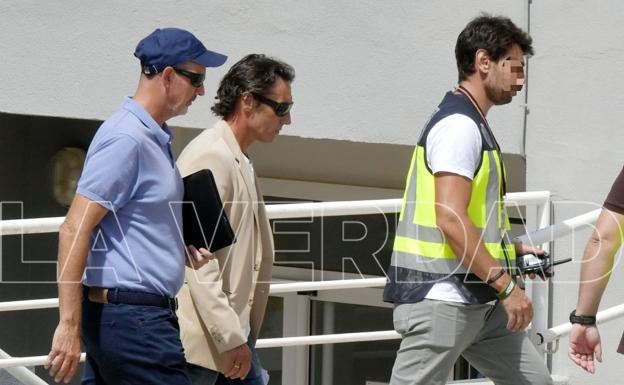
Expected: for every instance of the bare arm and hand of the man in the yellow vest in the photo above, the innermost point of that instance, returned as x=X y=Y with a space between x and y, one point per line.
x=453 y=194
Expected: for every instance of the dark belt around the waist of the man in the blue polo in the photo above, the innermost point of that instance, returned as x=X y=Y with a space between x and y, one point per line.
x=117 y=296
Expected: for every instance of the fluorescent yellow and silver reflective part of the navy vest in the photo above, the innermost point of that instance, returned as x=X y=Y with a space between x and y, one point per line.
x=420 y=245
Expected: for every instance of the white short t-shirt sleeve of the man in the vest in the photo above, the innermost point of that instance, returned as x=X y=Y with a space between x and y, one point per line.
x=454 y=145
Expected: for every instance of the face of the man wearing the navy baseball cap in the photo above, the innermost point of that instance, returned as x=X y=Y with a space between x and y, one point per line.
x=182 y=92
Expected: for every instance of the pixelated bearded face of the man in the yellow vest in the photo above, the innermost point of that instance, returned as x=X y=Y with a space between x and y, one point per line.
x=506 y=76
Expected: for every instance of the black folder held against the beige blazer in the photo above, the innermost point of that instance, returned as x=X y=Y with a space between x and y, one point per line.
x=205 y=223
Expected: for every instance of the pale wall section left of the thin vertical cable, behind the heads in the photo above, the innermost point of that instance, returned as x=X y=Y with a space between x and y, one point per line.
x=369 y=70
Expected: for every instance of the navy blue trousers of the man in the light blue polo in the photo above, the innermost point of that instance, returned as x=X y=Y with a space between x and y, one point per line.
x=130 y=344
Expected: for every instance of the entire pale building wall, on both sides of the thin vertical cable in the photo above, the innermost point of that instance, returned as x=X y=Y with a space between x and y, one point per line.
x=368 y=71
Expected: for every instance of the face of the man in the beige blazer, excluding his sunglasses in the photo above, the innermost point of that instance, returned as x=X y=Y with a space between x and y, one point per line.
x=264 y=123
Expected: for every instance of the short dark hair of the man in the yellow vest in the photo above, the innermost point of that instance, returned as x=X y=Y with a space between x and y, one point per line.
x=495 y=34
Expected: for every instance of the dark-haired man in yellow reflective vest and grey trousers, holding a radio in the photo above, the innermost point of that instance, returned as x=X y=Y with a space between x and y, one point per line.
x=451 y=276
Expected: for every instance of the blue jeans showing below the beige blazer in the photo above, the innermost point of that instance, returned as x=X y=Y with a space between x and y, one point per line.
x=204 y=376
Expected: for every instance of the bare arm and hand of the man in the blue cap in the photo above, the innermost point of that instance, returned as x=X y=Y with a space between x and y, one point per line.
x=74 y=235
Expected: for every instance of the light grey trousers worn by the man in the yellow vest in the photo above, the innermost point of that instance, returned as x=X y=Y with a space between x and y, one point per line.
x=436 y=333
